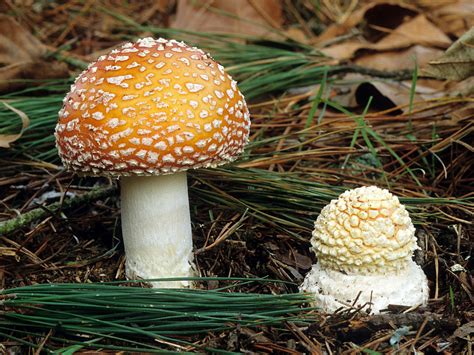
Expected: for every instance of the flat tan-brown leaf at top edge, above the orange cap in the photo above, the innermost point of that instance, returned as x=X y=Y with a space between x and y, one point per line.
x=245 y=17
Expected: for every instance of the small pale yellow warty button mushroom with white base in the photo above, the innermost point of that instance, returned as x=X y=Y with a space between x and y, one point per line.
x=364 y=243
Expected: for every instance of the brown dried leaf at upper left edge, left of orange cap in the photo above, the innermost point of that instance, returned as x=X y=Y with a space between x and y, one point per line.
x=21 y=57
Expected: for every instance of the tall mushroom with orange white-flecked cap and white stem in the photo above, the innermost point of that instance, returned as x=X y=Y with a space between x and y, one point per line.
x=147 y=112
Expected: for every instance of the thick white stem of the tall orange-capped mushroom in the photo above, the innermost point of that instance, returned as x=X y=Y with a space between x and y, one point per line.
x=156 y=228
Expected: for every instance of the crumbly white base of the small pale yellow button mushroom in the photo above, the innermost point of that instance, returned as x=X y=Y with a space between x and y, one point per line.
x=333 y=289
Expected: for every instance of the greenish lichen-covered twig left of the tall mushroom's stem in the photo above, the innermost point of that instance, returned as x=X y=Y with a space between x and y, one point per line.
x=22 y=220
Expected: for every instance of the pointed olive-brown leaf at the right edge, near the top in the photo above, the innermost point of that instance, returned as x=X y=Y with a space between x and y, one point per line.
x=457 y=63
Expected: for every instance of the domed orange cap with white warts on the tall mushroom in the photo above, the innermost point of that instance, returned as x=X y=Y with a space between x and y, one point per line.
x=152 y=107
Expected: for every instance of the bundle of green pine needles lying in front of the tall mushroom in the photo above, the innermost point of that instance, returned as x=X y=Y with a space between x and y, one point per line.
x=137 y=316
